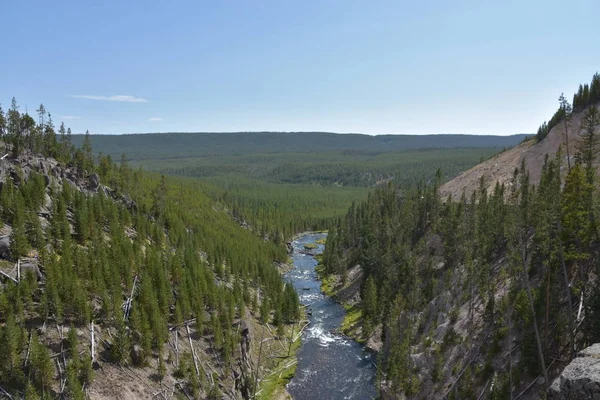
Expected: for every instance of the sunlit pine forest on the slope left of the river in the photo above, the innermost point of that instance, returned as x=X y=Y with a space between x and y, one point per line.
x=134 y=257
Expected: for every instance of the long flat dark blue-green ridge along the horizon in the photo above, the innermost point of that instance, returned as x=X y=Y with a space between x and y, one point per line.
x=173 y=145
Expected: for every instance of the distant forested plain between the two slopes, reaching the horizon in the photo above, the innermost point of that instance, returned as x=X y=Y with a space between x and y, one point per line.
x=281 y=183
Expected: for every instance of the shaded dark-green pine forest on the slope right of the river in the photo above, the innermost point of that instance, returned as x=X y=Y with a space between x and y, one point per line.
x=491 y=295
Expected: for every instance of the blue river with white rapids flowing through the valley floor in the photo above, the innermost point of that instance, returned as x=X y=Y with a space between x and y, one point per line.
x=330 y=366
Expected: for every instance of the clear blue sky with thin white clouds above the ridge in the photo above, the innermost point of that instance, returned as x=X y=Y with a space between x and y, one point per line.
x=493 y=67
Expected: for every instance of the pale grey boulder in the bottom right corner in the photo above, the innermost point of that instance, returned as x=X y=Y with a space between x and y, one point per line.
x=580 y=379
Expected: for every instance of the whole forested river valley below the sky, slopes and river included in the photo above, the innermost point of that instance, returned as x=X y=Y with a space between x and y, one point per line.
x=205 y=275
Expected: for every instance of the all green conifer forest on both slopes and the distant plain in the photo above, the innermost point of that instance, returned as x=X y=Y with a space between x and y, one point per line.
x=195 y=239
